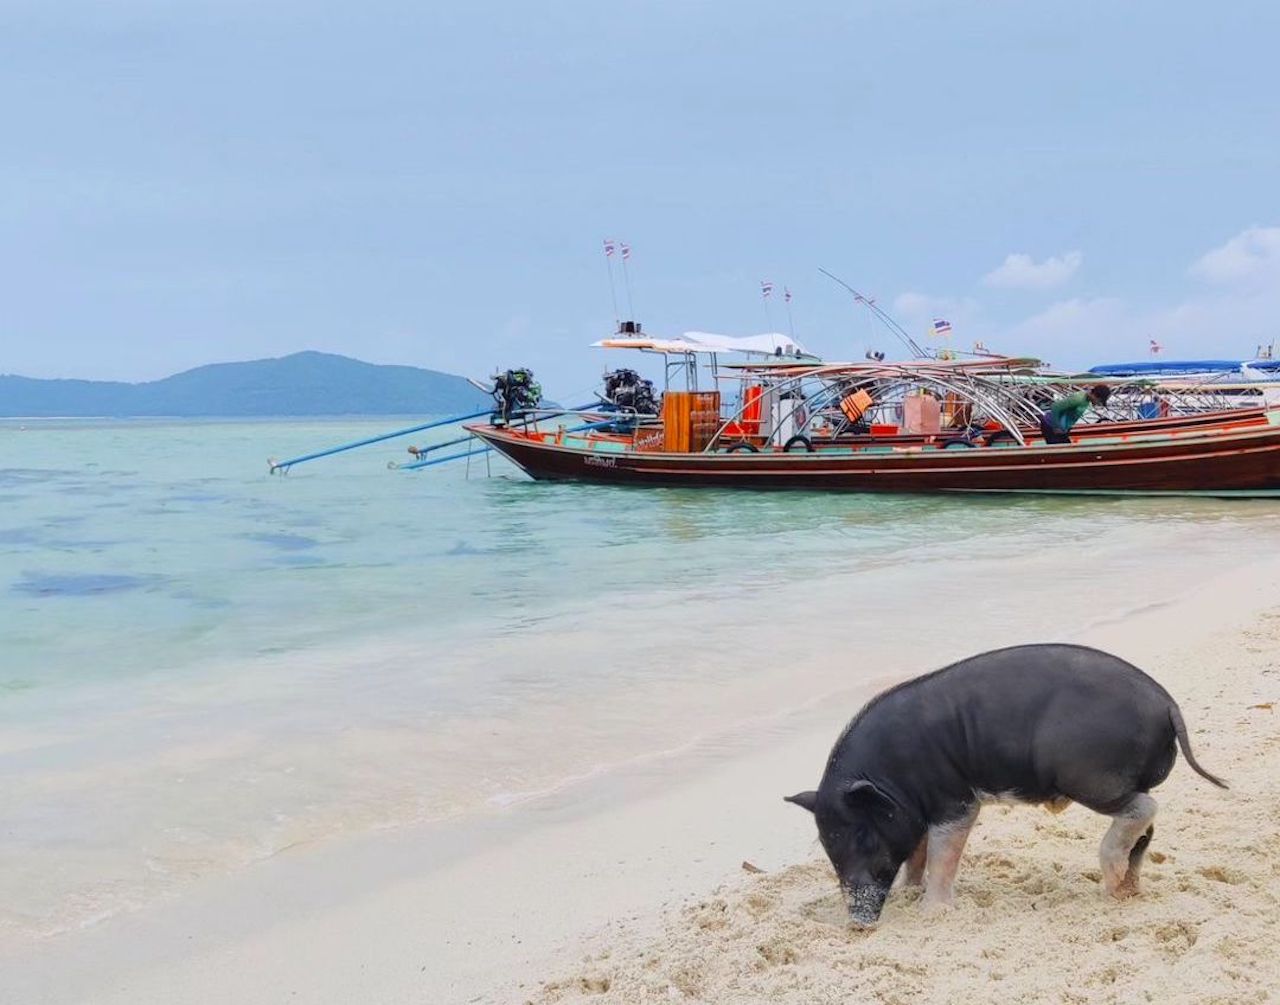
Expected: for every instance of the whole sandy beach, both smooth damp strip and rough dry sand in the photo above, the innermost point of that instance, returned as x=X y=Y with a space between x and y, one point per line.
x=632 y=889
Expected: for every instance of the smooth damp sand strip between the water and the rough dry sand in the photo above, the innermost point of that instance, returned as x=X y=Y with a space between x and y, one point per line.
x=484 y=913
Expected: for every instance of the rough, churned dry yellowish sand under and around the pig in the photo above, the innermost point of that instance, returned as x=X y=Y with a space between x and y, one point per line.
x=1030 y=924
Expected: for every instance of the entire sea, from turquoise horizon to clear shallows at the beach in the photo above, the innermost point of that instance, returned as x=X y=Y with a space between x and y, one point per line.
x=203 y=665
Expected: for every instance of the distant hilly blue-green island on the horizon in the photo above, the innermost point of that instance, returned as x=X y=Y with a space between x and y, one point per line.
x=305 y=383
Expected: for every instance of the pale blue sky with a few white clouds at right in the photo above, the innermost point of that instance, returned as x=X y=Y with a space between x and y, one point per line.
x=410 y=182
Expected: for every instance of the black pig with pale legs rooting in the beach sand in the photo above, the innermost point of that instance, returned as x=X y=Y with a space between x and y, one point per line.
x=1035 y=724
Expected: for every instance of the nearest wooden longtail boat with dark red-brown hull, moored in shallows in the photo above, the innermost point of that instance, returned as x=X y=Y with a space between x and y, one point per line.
x=1232 y=454
